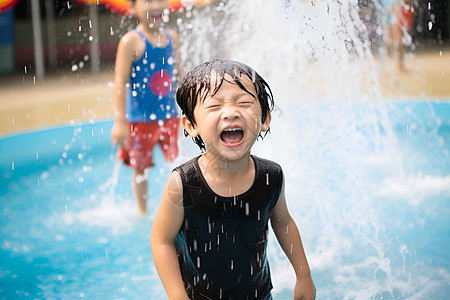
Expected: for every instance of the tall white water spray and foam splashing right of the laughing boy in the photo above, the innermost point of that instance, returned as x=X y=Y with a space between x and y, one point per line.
x=338 y=146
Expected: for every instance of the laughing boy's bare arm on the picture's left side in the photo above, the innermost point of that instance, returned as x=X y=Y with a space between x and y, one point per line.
x=167 y=223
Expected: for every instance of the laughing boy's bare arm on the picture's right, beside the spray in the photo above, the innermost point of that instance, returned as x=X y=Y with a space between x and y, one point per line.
x=289 y=238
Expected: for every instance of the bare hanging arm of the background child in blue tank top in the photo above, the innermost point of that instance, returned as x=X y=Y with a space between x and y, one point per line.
x=122 y=69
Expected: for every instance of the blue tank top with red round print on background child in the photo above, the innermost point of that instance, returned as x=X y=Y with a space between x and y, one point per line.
x=151 y=94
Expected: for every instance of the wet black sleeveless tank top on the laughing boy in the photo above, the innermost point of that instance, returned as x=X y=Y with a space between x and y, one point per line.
x=222 y=243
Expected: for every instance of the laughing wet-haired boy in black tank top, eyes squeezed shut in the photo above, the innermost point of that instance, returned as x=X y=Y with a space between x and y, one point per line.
x=209 y=236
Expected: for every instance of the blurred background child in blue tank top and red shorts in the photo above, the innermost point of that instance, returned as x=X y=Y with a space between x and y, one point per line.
x=144 y=93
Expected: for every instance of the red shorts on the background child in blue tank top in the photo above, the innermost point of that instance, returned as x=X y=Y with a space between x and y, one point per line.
x=143 y=138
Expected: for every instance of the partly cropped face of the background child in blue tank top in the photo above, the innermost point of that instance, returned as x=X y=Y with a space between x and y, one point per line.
x=149 y=12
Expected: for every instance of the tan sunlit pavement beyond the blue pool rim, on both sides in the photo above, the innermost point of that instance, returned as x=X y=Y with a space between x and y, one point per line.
x=26 y=104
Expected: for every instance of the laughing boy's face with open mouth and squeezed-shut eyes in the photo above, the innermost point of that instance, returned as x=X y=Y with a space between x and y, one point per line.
x=230 y=121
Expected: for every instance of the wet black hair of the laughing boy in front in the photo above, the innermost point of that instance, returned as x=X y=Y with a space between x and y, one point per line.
x=196 y=85
